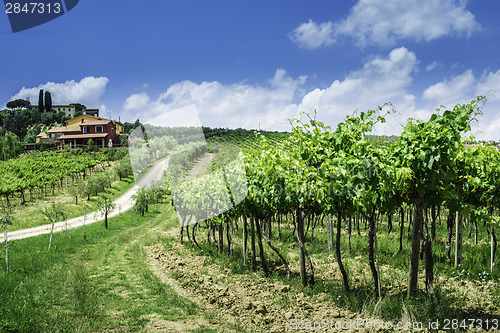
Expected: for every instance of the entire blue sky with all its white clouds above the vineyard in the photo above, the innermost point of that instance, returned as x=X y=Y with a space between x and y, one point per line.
x=245 y=63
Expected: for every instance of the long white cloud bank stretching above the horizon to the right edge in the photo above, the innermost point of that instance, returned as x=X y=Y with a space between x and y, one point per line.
x=381 y=79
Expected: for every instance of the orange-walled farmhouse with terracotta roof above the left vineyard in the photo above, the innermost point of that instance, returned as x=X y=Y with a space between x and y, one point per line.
x=78 y=131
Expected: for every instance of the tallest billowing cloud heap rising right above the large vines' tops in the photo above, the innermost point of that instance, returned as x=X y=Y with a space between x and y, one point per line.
x=380 y=80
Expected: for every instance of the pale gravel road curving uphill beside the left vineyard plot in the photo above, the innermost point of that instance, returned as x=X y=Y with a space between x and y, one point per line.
x=123 y=203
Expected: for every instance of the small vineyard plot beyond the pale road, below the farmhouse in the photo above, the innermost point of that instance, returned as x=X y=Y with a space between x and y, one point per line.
x=62 y=172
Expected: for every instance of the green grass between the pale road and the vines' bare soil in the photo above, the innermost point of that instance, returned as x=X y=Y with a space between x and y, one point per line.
x=99 y=283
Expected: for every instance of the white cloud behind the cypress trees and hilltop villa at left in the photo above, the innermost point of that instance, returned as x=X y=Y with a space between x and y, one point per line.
x=88 y=91
